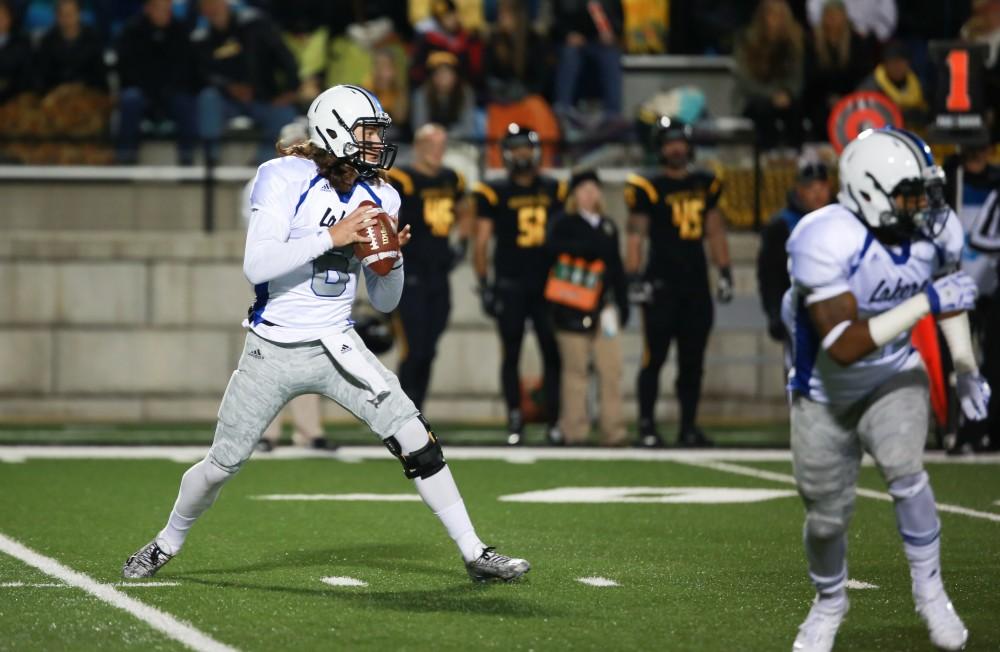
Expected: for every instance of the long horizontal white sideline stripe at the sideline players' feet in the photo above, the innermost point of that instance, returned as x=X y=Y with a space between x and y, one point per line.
x=525 y=455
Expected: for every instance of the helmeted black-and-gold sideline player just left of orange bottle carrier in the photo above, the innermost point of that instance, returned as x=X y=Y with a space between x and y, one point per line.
x=516 y=214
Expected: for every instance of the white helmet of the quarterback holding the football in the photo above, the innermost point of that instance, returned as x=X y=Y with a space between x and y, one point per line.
x=333 y=117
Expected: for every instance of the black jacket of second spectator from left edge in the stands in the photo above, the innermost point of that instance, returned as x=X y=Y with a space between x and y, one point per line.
x=59 y=61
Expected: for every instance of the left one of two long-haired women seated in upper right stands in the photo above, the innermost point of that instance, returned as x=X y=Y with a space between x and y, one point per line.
x=770 y=60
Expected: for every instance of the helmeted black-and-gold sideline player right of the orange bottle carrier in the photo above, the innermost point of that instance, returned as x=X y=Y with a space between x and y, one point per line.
x=677 y=210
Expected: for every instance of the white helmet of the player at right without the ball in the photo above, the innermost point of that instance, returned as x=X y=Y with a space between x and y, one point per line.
x=882 y=164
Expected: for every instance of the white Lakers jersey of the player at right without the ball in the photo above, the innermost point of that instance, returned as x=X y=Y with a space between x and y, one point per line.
x=831 y=252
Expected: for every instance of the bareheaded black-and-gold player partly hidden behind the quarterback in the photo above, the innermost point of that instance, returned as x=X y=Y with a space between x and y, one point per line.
x=433 y=206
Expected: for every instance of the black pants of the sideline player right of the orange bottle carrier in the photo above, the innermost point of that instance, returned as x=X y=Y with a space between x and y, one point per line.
x=687 y=319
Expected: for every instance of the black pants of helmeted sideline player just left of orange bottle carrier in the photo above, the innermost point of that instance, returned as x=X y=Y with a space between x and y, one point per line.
x=517 y=305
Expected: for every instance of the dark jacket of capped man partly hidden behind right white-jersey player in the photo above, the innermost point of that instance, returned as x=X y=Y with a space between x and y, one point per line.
x=772 y=263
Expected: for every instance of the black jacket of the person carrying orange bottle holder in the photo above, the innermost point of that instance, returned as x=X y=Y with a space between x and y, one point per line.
x=573 y=235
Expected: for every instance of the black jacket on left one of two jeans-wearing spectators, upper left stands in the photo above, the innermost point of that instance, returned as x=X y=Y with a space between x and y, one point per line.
x=160 y=61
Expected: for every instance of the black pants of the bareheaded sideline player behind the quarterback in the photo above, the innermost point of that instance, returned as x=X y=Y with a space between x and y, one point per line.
x=422 y=317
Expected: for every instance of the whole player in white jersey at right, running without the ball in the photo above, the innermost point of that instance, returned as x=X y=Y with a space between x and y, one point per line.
x=864 y=271
